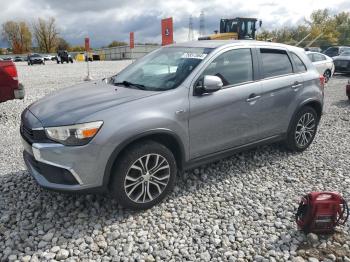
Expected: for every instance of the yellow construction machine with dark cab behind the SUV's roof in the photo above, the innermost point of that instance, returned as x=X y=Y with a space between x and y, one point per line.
x=235 y=28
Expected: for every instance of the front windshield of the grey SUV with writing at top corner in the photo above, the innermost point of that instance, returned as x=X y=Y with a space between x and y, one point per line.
x=163 y=69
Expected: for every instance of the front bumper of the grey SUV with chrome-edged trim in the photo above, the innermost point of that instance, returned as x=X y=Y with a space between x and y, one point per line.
x=57 y=167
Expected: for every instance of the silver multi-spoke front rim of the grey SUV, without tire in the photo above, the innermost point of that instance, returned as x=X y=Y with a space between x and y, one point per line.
x=147 y=178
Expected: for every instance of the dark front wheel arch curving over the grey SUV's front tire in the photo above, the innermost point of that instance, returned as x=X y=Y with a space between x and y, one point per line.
x=163 y=136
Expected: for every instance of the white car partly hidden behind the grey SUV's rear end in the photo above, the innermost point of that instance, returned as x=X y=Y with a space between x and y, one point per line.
x=323 y=63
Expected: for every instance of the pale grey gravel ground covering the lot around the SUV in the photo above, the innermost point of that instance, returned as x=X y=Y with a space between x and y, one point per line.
x=241 y=208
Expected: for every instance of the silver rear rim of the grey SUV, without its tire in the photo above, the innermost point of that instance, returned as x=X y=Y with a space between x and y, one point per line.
x=305 y=130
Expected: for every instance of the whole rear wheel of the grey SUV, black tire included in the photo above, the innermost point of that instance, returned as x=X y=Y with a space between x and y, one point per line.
x=307 y=119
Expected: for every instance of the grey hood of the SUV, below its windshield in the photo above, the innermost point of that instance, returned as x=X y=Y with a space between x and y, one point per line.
x=69 y=105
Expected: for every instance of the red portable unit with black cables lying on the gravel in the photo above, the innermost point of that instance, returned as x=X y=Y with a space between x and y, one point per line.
x=321 y=212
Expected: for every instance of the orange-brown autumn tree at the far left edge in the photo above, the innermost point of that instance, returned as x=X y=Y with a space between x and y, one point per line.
x=18 y=35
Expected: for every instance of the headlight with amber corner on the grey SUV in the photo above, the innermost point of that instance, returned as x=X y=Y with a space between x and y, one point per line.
x=74 y=135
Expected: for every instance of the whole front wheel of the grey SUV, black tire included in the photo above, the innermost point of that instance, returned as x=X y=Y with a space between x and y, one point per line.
x=145 y=193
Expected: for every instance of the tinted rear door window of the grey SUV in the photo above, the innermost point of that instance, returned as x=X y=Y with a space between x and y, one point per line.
x=275 y=62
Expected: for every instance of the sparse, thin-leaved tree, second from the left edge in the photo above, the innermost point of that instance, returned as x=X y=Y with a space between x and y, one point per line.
x=46 y=34
